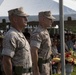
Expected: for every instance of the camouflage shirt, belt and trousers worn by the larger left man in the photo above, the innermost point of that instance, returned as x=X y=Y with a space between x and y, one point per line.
x=17 y=47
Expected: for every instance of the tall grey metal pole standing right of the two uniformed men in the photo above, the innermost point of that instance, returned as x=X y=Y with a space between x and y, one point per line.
x=61 y=16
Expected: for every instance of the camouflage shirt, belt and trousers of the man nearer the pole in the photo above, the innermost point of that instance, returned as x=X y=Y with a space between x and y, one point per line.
x=41 y=39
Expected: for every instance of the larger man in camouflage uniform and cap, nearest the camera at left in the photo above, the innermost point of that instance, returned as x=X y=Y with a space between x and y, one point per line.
x=16 y=49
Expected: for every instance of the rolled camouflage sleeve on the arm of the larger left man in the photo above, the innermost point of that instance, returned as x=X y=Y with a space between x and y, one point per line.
x=9 y=45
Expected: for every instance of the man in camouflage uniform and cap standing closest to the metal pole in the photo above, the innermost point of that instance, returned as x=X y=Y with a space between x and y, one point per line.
x=41 y=45
